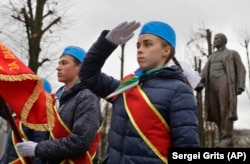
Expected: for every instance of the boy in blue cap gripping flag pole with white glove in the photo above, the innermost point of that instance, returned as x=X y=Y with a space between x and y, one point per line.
x=77 y=118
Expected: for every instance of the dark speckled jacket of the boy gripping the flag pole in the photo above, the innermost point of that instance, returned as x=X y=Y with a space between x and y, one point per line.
x=80 y=111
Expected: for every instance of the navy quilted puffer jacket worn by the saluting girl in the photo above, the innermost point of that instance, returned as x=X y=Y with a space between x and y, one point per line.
x=167 y=91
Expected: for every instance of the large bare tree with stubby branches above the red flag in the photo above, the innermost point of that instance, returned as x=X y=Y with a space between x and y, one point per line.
x=30 y=24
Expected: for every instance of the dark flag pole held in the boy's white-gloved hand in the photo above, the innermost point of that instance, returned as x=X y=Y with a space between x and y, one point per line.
x=12 y=124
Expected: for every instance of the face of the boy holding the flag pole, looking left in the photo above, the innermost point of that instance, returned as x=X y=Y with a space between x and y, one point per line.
x=67 y=70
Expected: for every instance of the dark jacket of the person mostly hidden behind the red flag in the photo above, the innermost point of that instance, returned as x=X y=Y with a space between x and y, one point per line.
x=33 y=135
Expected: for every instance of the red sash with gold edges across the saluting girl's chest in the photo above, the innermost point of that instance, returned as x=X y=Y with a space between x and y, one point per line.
x=148 y=122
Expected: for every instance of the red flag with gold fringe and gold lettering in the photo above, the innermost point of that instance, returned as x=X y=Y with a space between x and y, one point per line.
x=23 y=90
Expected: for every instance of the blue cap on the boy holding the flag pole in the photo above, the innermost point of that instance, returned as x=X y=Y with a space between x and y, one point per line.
x=75 y=52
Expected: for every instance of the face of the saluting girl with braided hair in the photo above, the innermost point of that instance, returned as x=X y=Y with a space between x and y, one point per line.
x=151 y=53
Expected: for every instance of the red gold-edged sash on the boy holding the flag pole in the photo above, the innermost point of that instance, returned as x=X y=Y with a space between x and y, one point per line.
x=61 y=130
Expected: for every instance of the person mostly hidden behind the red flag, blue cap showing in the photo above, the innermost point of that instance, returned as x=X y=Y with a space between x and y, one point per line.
x=11 y=155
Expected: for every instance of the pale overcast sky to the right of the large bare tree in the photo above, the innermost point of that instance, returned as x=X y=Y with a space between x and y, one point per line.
x=90 y=17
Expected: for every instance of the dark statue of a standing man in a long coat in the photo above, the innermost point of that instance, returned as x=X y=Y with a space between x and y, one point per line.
x=223 y=77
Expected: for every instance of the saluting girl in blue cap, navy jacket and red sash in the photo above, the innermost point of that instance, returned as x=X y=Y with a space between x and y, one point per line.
x=154 y=108
